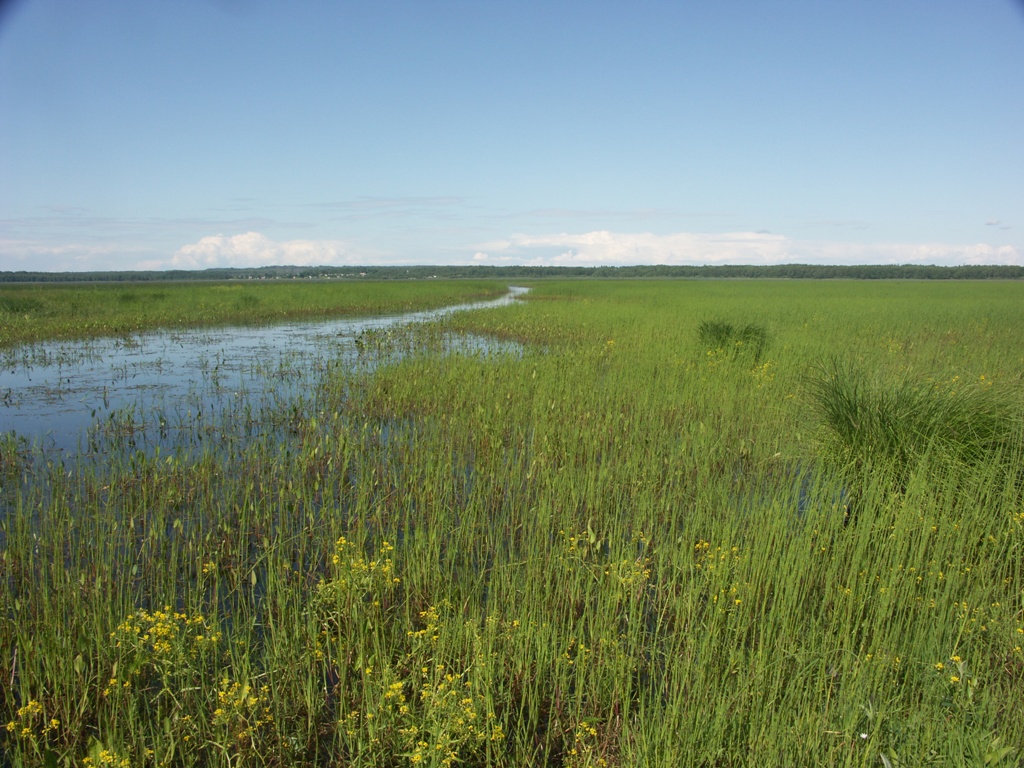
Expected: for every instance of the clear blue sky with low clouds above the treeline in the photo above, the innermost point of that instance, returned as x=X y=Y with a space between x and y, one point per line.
x=208 y=134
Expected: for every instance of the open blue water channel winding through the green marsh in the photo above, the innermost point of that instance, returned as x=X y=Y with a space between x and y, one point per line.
x=53 y=395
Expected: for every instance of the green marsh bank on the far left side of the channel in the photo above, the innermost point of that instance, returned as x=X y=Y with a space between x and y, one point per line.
x=61 y=312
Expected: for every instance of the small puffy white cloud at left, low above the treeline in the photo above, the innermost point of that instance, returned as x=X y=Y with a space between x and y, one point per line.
x=254 y=249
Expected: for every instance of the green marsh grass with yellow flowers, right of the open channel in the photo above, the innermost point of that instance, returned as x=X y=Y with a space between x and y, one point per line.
x=607 y=547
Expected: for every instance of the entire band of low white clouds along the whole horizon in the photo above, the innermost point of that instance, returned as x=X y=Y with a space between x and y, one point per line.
x=599 y=248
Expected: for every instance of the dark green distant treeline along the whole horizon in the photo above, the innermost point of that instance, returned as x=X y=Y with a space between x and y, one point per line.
x=779 y=272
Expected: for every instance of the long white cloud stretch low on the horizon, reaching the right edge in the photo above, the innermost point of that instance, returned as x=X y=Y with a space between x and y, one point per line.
x=613 y=249
